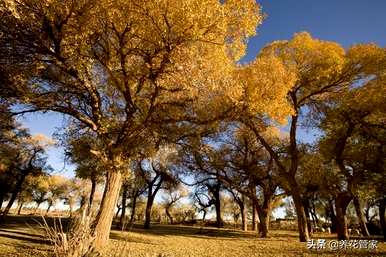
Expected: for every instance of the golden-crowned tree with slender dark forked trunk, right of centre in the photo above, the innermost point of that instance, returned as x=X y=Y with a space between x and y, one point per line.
x=315 y=70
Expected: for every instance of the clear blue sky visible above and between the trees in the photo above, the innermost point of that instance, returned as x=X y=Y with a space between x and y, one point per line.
x=344 y=21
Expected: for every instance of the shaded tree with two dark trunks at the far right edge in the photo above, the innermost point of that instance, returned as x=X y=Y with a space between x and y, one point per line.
x=355 y=138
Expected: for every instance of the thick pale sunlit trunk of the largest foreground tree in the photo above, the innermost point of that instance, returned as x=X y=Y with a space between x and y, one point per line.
x=105 y=214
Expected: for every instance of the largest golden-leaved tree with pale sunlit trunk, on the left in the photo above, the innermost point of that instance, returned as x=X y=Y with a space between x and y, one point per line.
x=121 y=68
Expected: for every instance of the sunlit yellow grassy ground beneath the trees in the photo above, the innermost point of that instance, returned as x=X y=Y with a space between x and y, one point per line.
x=22 y=237
